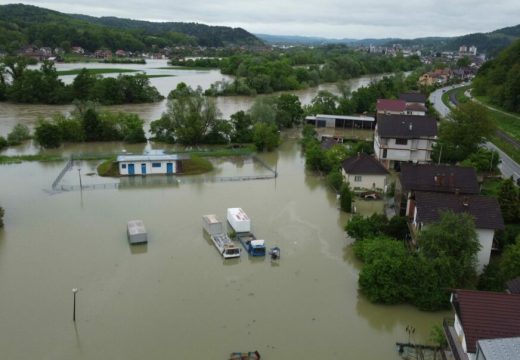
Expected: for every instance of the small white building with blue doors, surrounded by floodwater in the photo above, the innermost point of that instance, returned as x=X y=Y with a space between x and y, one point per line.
x=150 y=164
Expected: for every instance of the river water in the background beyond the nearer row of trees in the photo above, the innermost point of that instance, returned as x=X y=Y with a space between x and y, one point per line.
x=11 y=114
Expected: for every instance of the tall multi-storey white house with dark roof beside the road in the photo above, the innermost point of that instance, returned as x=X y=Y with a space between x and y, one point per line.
x=404 y=138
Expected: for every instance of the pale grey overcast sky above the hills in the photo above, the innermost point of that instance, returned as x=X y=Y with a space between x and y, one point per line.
x=328 y=18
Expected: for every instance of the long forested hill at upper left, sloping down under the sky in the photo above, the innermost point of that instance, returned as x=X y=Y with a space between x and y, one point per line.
x=25 y=24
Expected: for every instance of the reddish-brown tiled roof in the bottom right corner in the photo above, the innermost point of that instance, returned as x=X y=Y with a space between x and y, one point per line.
x=487 y=315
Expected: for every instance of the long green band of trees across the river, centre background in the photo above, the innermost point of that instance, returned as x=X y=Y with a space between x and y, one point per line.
x=264 y=73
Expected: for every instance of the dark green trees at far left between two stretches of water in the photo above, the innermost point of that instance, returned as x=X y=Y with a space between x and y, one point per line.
x=20 y=84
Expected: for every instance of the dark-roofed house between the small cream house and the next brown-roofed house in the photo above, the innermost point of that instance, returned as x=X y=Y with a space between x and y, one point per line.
x=432 y=178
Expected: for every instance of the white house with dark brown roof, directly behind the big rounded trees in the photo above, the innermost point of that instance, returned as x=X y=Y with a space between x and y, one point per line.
x=426 y=207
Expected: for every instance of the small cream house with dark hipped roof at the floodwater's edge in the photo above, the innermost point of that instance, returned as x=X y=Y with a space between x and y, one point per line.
x=363 y=171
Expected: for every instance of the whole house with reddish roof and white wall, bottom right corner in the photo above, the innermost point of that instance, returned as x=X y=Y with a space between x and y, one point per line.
x=479 y=316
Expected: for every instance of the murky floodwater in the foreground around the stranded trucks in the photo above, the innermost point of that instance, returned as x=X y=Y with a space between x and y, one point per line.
x=176 y=298
